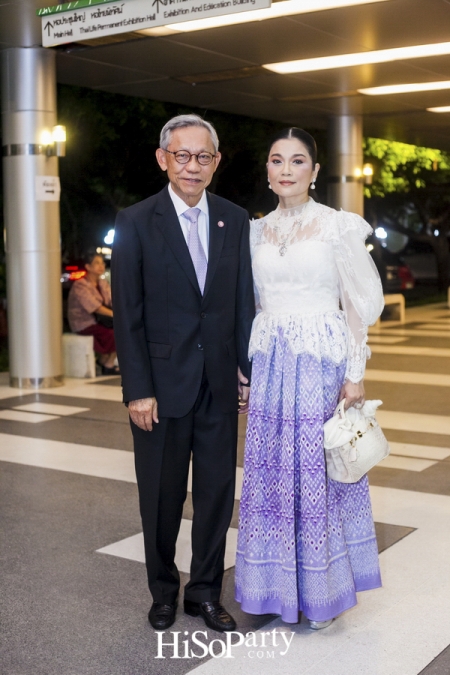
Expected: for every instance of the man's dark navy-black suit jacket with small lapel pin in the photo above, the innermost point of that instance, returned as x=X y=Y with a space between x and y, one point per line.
x=166 y=331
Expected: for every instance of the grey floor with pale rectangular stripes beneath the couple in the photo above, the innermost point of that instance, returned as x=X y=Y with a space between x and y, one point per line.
x=75 y=598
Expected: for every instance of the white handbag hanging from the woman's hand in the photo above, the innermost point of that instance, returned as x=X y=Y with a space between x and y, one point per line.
x=354 y=442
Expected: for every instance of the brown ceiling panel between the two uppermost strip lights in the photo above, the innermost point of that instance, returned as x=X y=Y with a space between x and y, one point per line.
x=384 y=25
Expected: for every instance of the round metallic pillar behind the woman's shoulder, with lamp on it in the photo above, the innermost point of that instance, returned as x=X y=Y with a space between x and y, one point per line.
x=345 y=161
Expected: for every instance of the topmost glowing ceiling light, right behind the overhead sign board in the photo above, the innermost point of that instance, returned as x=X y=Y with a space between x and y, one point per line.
x=278 y=9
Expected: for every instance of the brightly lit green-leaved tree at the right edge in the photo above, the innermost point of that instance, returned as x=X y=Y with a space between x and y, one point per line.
x=411 y=188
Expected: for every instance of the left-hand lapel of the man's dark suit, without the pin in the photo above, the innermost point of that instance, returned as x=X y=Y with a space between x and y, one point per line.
x=167 y=221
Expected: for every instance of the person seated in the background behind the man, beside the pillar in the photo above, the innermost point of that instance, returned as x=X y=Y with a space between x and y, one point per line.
x=88 y=297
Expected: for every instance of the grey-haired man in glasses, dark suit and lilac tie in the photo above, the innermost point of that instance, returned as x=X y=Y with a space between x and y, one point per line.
x=183 y=308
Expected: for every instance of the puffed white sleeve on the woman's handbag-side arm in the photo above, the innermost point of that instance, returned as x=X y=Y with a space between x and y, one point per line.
x=360 y=290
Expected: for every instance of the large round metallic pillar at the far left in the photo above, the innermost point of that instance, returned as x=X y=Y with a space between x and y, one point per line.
x=33 y=256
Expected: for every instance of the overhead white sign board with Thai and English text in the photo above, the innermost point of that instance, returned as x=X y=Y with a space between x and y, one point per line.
x=88 y=19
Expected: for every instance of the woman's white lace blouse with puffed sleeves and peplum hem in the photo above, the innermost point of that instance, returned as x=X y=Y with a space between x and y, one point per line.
x=316 y=281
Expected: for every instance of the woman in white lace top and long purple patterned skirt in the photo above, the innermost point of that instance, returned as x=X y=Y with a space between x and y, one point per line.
x=306 y=543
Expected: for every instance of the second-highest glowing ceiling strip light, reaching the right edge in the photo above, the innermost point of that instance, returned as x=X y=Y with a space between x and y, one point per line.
x=360 y=58
